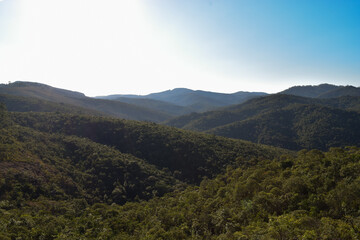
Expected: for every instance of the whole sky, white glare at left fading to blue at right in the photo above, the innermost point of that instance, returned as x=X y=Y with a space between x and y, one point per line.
x=144 y=46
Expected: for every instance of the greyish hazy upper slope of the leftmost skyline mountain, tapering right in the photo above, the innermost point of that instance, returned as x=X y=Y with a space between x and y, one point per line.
x=60 y=96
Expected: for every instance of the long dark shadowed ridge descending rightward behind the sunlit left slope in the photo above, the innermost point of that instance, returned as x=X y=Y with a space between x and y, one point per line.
x=188 y=155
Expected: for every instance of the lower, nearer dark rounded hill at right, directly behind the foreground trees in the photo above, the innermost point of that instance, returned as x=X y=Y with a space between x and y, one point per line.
x=297 y=127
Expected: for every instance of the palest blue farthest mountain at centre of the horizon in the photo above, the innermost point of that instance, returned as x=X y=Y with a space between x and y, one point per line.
x=197 y=101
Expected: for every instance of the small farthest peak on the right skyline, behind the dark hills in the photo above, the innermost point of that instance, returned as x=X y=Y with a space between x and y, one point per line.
x=322 y=91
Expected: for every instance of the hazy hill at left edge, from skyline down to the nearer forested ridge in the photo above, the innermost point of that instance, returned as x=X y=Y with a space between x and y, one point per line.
x=41 y=96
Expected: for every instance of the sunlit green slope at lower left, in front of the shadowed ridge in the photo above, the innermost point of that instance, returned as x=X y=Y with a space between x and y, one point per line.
x=37 y=164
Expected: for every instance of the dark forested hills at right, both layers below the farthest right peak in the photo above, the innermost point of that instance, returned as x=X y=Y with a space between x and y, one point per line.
x=283 y=120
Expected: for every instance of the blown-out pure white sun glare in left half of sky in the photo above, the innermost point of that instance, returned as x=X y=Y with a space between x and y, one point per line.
x=109 y=43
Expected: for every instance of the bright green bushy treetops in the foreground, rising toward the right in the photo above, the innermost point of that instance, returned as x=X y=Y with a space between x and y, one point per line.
x=312 y=196
